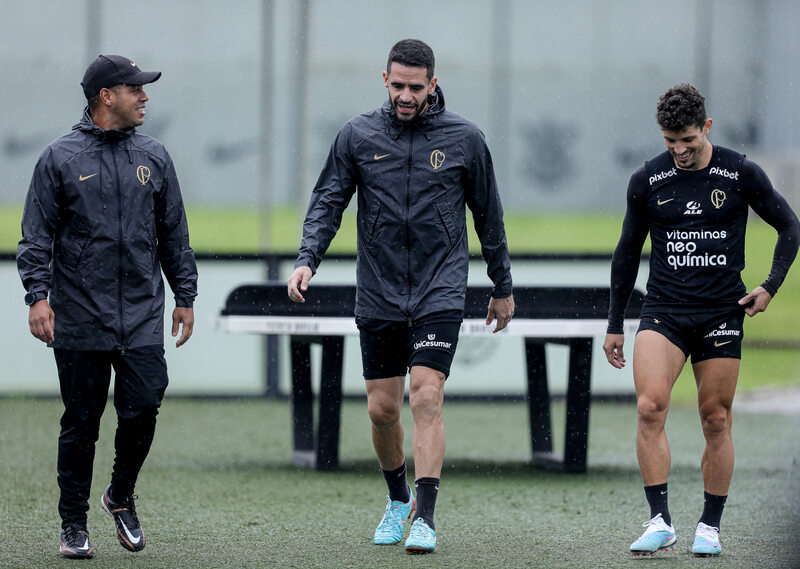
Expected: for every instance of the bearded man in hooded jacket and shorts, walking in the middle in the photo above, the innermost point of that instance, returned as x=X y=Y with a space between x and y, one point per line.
x=415 y=165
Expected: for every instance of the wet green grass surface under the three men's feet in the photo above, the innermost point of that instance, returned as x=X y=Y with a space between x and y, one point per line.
x=218 y=491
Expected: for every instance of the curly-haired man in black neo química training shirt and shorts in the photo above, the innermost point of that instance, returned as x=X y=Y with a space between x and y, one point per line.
x=693 y=200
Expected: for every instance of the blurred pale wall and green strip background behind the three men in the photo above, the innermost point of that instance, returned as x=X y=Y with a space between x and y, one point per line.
x=254 y=91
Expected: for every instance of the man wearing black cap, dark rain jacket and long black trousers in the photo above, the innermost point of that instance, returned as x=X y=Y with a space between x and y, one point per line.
x=103 y=218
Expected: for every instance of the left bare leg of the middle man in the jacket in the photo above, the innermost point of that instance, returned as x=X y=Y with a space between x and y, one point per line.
x=384 y=403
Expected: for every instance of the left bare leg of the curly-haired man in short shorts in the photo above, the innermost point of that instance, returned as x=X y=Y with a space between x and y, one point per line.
x=657 y=363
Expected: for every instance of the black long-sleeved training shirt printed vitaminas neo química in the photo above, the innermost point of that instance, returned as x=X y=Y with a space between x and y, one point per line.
x=696 y=220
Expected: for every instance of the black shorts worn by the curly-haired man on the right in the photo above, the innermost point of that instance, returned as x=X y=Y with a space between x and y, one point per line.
x=701 y=335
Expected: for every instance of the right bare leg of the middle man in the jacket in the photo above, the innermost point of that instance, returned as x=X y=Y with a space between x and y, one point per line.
x=426 y=396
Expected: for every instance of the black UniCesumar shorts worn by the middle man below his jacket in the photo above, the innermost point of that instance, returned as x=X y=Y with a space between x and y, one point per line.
x=390 y=348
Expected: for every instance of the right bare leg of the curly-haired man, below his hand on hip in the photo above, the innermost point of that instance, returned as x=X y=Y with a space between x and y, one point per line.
x=716 y=384
